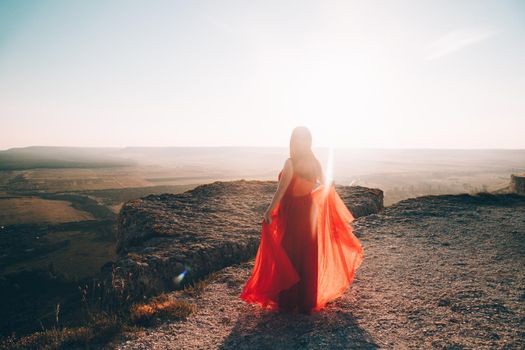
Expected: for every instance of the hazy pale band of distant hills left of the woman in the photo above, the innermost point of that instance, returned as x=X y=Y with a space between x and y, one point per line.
x=224 y=158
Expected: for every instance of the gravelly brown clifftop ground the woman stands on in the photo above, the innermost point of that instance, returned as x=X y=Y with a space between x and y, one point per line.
x=442 y=272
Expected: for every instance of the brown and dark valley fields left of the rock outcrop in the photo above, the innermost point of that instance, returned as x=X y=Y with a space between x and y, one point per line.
x=66 y=218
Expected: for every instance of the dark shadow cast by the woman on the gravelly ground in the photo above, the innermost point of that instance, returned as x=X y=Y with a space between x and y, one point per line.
x=329 y=329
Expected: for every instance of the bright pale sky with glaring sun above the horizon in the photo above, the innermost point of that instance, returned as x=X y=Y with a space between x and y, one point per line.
x=359 y=74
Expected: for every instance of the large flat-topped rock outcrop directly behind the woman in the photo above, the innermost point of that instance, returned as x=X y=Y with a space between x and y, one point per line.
x=166 y=241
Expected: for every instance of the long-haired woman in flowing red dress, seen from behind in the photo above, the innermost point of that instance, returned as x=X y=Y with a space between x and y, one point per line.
x=308 y=254
